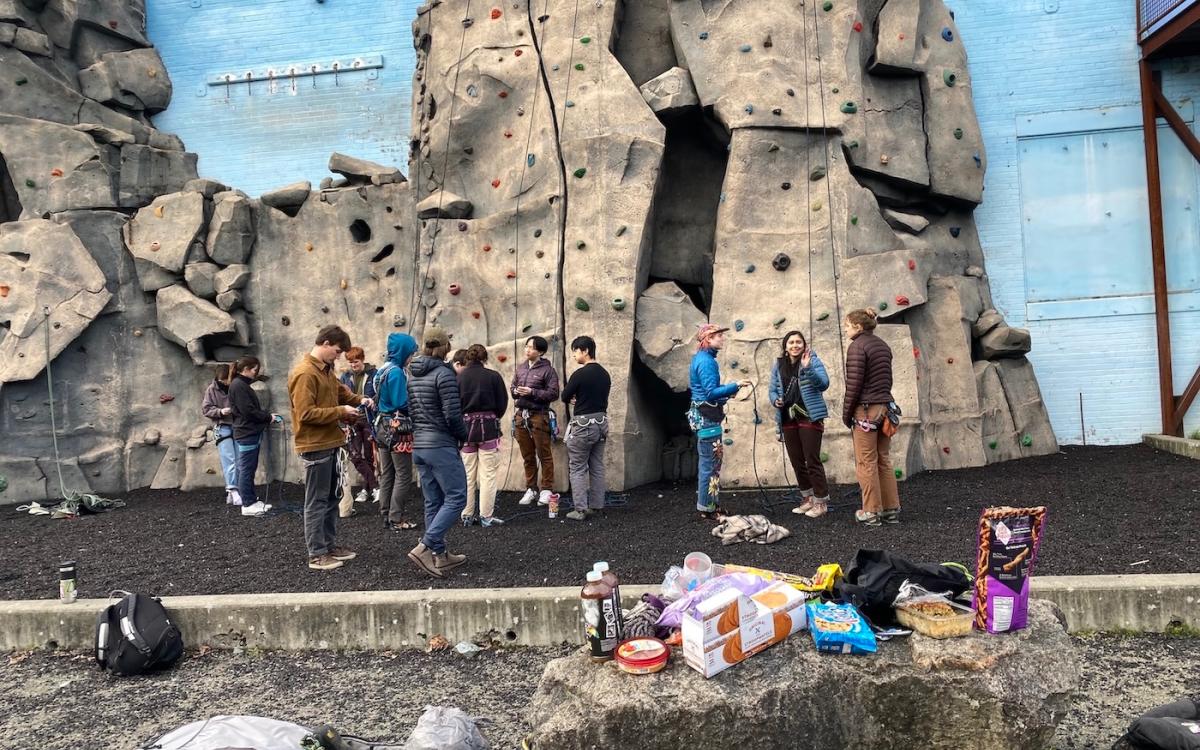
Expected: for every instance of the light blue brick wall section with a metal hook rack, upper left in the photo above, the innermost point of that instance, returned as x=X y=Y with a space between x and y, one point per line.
x=267 y=134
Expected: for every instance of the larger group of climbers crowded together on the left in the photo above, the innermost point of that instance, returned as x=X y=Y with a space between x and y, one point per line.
x=417 y=412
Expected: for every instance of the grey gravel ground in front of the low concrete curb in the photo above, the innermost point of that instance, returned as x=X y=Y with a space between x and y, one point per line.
x=59 y=701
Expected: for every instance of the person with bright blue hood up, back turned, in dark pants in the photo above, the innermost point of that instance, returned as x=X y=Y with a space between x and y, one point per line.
x=397 y=485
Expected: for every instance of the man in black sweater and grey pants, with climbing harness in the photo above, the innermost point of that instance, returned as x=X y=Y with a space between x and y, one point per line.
x=587 y=401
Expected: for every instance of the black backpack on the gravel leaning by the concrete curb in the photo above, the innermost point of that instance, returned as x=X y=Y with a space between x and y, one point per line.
x=136 y=637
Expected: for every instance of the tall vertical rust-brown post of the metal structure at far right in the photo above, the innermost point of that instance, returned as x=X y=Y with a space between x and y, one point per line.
x=1157 y=247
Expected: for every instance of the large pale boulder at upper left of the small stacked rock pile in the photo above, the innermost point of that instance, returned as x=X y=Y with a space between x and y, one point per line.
x=164 y=232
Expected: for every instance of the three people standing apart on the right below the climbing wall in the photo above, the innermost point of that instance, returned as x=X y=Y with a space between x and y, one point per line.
x=799 y=380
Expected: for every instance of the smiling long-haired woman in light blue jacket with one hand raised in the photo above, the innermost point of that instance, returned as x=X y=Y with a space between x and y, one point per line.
x=797 y=381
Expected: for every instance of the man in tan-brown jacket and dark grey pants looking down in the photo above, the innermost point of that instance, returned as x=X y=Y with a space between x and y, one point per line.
x=320 y=404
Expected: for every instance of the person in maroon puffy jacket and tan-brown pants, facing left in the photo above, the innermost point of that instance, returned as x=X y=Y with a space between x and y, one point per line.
x=865 y=409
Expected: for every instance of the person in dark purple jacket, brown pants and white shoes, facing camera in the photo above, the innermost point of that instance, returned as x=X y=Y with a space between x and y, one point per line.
x=535 y=388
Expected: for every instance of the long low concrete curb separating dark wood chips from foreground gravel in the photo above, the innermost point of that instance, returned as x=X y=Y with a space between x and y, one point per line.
x=518 y=616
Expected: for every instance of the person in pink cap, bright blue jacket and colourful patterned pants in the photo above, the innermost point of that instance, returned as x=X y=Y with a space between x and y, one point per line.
x=707 y=412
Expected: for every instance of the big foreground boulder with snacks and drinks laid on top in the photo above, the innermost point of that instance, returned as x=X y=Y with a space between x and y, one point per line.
x=975 y=693
